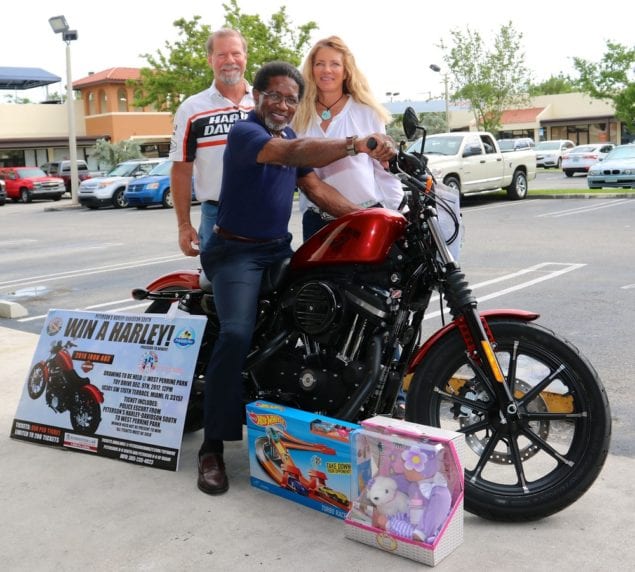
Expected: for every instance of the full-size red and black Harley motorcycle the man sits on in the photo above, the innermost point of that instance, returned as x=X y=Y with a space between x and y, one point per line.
x=339 y=331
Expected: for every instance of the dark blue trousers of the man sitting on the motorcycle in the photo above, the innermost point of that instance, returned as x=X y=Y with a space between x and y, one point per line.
x=235 y=269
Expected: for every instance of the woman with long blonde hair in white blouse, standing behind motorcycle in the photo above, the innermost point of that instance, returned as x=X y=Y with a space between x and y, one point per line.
x=338 y=103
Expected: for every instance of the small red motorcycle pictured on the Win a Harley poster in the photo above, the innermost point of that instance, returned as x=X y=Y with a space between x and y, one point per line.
x=66 y=390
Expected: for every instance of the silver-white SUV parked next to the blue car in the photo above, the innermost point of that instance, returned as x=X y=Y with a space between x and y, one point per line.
x=109 y=190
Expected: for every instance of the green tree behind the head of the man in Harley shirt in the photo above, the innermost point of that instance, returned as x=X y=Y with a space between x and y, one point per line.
x=181 y=68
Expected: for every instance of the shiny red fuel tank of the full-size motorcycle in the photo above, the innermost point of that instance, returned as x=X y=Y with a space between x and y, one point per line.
x=362 y=237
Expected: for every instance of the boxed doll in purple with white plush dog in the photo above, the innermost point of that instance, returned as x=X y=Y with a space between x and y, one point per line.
x=407 y=489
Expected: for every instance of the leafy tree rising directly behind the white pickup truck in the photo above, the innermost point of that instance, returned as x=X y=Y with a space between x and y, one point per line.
x=490 y=79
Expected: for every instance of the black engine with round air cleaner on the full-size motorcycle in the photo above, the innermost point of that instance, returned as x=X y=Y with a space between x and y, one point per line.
x=325 y=363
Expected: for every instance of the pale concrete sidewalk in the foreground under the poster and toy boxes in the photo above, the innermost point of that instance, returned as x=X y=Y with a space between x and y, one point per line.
x=63 y=510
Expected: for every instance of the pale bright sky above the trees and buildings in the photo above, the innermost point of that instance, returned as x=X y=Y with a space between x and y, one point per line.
x=393 y=43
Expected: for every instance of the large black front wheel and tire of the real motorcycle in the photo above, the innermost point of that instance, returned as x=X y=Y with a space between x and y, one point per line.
x=545 y=461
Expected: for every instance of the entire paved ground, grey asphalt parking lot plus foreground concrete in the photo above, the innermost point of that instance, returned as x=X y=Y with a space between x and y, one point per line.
x=563 y=258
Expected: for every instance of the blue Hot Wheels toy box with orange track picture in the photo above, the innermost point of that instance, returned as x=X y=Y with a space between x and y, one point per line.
x=300 y=456
